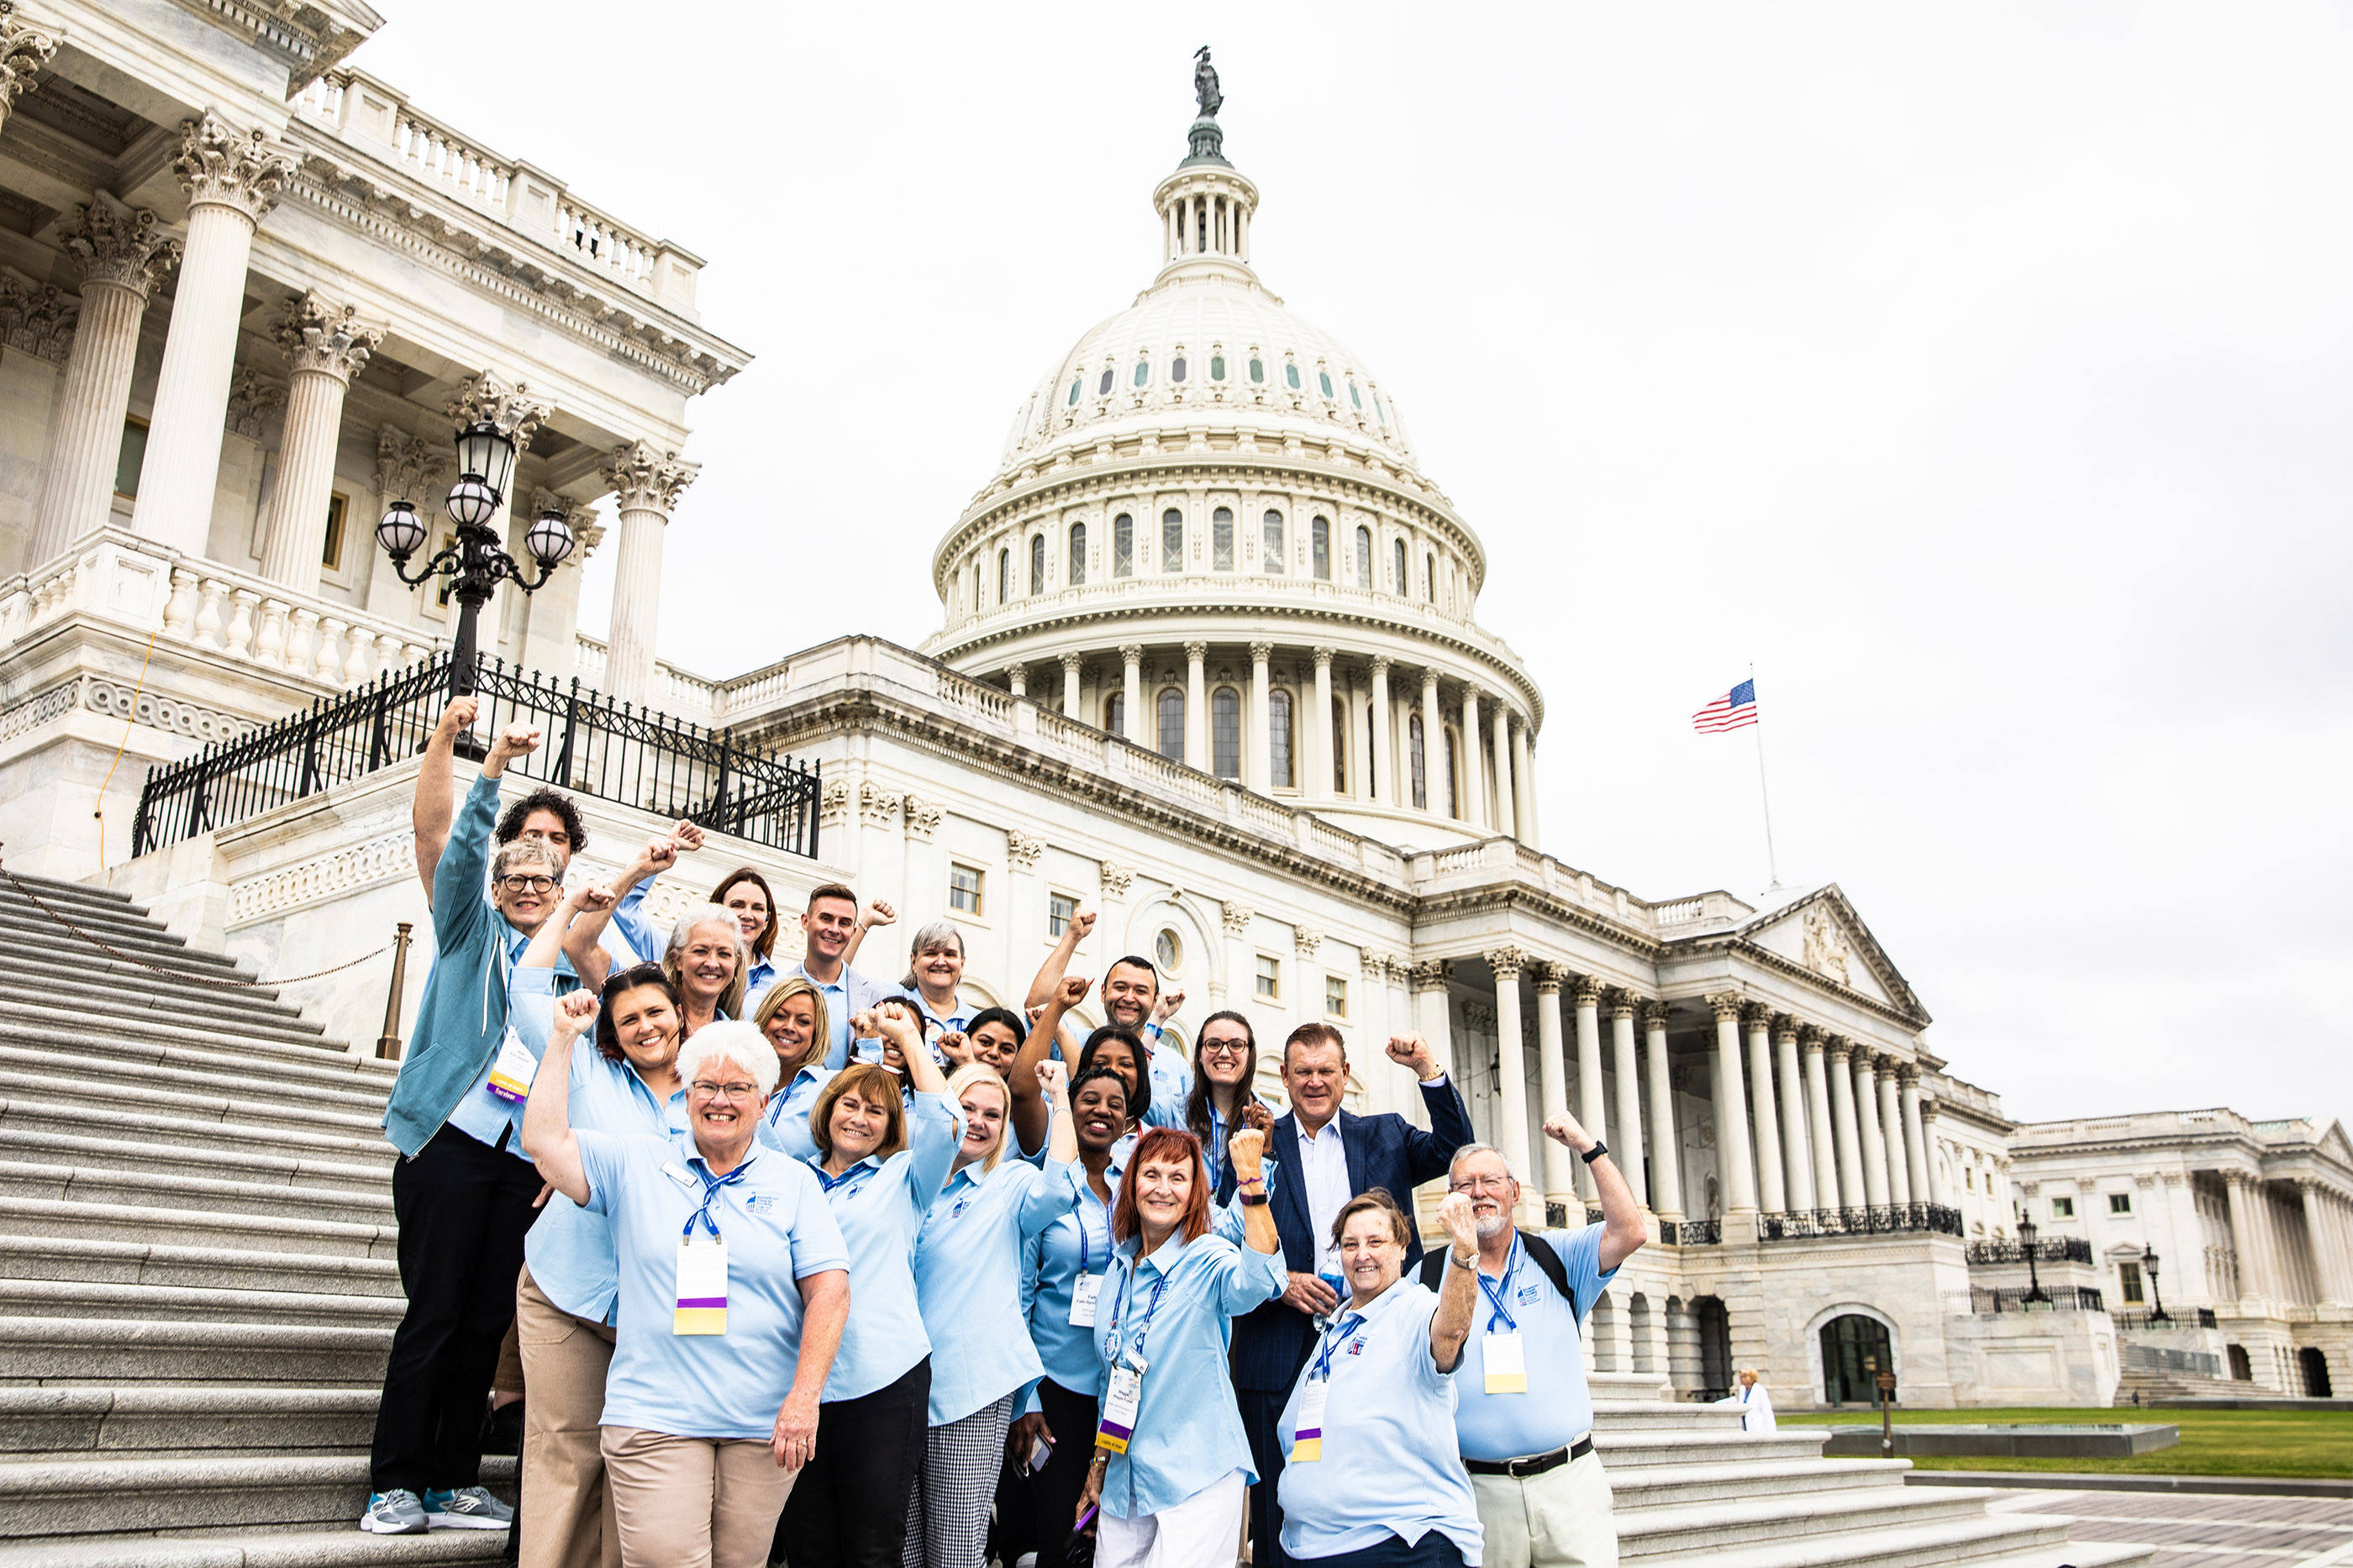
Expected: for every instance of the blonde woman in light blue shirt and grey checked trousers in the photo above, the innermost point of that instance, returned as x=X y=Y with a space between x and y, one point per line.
x=968 y=1282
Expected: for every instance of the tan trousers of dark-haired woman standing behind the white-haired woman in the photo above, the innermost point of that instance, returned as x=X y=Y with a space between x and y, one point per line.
x=566 y=1503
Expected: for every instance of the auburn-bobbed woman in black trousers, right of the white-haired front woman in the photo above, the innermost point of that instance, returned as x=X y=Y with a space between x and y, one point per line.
x=881 y=1162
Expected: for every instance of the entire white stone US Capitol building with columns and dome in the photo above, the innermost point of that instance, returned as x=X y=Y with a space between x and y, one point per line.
x=1208 y=660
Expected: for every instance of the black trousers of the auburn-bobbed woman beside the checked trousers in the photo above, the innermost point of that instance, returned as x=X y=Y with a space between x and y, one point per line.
x=848 y=1510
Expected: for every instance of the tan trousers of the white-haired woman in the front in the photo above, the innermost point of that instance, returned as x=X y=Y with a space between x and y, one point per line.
x=695 y=1503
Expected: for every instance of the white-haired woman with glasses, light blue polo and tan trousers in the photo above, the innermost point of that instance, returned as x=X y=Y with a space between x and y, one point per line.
x=733 y=1291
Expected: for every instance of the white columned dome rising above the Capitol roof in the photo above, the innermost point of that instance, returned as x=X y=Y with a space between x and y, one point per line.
x=1211 y=536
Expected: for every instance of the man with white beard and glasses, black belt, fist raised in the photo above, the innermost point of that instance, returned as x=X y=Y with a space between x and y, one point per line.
x=1526 y=1414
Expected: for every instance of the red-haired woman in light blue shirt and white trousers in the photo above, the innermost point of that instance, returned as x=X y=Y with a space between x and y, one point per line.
x=1171 y=1459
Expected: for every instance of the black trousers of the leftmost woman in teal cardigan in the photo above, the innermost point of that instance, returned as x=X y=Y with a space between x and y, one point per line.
x=462 y=1211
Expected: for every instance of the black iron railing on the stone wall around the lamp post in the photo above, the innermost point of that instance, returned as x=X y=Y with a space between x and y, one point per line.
x=589 y=745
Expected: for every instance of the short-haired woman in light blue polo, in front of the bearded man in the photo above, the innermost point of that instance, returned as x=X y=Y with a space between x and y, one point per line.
x=1368 y=1437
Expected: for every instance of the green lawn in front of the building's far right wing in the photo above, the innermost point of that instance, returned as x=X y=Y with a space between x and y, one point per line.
x=2213 y=1442
